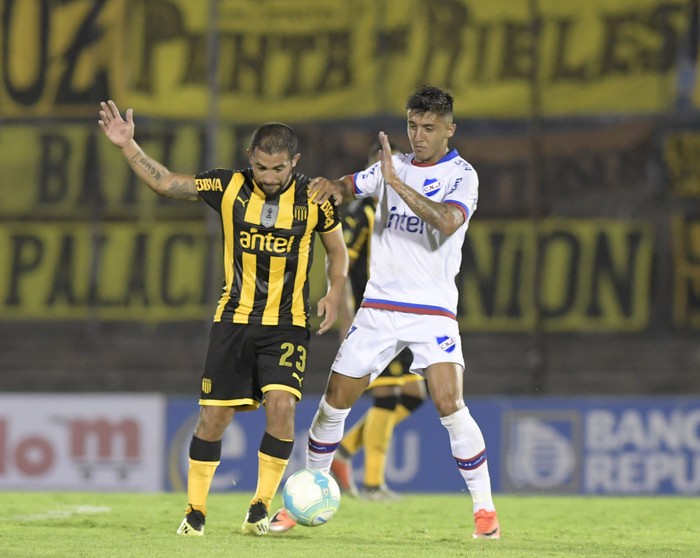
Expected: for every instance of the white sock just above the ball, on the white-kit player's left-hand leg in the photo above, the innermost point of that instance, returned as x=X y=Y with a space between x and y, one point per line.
x=325 y=435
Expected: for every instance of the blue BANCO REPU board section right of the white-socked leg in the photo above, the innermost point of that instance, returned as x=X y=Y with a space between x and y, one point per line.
x=600 y=445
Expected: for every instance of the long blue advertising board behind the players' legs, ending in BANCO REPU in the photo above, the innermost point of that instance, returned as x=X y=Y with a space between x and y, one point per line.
x=535 y=445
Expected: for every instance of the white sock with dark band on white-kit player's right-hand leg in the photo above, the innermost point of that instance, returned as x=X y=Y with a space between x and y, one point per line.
x=469 y=451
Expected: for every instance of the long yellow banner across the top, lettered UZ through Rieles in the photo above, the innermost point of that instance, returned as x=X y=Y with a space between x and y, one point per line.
x=338 y=59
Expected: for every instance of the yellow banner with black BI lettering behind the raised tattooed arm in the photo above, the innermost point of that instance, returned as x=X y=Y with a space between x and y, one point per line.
x=72 y=171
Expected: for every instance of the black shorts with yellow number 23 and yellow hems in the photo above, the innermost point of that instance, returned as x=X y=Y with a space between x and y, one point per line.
x=244 y=361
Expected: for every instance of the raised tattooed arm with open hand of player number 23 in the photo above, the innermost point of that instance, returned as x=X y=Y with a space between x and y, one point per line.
x=156 y=176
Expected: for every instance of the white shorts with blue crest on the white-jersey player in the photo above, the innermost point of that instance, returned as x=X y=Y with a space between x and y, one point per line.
x=377 y=336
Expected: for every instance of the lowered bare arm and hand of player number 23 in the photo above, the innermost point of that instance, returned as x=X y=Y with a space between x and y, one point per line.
x=336 y=274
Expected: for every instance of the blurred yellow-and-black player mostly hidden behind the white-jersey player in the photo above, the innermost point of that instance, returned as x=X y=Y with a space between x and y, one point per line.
x=396 y=393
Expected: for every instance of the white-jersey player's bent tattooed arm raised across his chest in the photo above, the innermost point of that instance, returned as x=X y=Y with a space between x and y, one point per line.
x=445 y=217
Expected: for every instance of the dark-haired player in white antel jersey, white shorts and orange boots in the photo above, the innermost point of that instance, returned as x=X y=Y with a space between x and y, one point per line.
x=425 y=200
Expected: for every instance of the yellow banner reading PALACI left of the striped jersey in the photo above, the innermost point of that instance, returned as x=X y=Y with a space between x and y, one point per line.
x=112 y=271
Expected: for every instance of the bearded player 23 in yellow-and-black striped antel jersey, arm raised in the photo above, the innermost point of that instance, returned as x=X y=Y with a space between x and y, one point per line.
x=259 y=340
